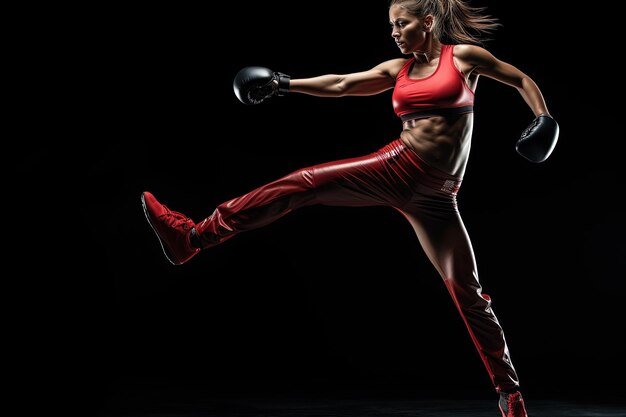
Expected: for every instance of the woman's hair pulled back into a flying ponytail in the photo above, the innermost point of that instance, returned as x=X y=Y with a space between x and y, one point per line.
x=454 y=21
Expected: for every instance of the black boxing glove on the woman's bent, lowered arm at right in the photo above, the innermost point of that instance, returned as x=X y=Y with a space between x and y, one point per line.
x=539 y=139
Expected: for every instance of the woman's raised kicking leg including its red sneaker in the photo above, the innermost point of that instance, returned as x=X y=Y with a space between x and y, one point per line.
x=368 y=180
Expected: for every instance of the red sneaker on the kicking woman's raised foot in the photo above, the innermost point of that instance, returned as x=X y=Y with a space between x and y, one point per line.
x=172 y=229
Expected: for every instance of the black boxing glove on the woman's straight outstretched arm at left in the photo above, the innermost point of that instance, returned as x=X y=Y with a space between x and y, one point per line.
x=253 y=85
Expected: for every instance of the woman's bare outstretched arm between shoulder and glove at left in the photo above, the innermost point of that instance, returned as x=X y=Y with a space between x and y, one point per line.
x=365 y=83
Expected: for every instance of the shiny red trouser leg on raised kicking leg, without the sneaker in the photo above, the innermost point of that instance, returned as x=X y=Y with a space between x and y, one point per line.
x=362 y=181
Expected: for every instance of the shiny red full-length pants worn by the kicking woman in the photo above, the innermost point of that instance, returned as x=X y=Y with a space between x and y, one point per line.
x=394 y=176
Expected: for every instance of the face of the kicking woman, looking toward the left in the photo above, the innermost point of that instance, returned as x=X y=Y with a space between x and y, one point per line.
x=407 y=30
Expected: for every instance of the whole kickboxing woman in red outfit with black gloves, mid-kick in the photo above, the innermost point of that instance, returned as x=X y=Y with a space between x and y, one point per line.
x=419 y=173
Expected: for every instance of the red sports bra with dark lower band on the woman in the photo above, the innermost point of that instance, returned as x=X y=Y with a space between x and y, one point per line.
x=441 y=93
